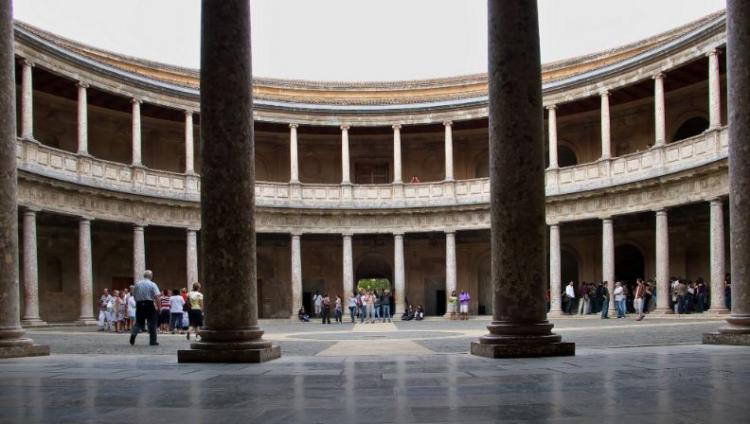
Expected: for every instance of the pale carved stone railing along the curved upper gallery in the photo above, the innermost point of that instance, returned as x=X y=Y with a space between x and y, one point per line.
x=694 y=152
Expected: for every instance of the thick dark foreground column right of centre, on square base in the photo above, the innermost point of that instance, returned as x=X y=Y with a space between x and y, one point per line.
x=519 y=324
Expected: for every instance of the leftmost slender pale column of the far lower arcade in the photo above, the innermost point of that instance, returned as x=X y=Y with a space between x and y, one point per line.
x=30 y=271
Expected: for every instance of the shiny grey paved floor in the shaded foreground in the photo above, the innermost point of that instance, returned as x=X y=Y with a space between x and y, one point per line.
x=654 y=384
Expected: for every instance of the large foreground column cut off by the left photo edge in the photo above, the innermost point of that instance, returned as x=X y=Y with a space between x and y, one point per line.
x=12 y=342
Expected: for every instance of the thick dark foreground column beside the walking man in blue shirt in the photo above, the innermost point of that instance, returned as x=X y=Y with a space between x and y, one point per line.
x=231 y=332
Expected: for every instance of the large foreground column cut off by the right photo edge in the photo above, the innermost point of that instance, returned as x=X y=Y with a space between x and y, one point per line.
x=737 y=329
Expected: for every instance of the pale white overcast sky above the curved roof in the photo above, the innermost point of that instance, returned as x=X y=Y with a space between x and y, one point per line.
x=357 y=40
